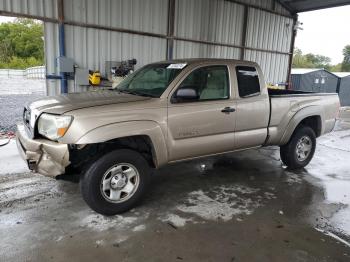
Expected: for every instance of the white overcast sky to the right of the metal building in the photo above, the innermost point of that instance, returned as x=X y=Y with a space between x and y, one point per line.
x=325 y=32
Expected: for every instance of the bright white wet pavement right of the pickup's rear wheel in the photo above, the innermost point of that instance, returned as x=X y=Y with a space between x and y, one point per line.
x=331 y=165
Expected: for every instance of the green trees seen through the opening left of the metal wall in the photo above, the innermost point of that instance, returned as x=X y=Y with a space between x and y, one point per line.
x=21 y=44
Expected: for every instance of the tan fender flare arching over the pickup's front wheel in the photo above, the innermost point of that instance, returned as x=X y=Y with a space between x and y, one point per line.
x=130 y=128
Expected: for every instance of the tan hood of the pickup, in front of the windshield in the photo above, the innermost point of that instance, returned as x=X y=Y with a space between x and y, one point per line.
x=68 y=102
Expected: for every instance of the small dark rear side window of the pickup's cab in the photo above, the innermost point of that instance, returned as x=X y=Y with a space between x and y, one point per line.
x=248 y=81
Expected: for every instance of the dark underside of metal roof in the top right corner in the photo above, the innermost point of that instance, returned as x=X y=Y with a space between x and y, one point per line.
x=296 y=6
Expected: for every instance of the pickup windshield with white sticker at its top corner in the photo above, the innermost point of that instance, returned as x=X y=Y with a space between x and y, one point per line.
x=151 y=80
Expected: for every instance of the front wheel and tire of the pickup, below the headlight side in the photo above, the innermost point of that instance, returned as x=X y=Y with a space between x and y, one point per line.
x=104 y=181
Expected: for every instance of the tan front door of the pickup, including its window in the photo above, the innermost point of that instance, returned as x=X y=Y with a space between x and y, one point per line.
x=202 y=125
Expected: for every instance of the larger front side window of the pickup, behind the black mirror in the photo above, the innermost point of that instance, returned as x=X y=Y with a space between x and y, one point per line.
x=205 y=83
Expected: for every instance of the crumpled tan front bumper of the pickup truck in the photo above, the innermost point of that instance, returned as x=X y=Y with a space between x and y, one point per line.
x=46 y=157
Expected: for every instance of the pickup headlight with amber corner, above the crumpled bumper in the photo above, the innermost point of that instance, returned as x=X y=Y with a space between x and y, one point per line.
x=53 y=126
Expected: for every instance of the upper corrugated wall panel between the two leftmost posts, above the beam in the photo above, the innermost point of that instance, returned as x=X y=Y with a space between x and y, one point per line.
x=140 y=15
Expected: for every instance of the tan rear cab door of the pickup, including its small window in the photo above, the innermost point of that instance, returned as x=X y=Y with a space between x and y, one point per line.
x=253 y=106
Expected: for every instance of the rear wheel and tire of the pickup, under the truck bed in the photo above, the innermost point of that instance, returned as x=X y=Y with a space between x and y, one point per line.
x=303 y=138
